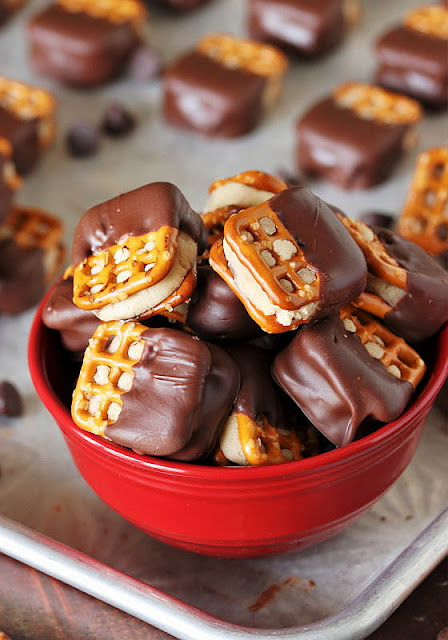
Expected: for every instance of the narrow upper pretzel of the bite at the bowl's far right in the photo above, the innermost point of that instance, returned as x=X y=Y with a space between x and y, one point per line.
x=379 y=262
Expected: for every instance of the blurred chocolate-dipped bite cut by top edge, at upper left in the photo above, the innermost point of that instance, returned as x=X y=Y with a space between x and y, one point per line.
x=83 y=42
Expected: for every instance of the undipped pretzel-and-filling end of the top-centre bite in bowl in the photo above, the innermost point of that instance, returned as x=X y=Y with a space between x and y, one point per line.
x=267 y=270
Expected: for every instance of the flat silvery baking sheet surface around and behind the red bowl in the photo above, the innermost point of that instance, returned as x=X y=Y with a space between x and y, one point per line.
x=40 y=486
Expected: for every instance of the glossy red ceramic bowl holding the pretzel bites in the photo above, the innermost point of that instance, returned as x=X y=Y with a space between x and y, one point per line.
x=236 y=511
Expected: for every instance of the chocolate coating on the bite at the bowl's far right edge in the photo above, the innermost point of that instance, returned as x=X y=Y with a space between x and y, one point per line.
x=424 y=308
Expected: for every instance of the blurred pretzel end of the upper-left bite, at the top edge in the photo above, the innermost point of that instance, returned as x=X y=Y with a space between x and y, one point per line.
x=116 y=11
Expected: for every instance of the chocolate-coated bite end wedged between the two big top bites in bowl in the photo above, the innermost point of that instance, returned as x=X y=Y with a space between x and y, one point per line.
x=215 y=313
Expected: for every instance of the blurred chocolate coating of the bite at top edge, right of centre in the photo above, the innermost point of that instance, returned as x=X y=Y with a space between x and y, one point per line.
x=311 y=27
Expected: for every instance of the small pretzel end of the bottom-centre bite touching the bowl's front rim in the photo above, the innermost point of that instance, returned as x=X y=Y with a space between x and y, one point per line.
x=265 y=444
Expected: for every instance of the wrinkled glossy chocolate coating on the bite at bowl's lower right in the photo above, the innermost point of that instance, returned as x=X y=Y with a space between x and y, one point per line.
x=336 y=383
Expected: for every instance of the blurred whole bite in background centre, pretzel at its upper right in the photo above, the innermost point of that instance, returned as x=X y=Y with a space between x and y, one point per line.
x=223 y=87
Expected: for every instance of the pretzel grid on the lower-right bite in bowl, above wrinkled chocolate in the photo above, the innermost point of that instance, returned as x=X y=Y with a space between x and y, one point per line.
x=396 y=355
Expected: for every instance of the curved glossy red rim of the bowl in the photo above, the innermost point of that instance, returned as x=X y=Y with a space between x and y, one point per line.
x=318 y=464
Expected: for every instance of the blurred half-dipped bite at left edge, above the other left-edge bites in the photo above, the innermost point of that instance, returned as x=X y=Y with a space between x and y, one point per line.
x=27 y=121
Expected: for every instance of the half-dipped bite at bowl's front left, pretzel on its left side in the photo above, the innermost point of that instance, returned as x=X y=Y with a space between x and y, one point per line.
x=157 y=391
